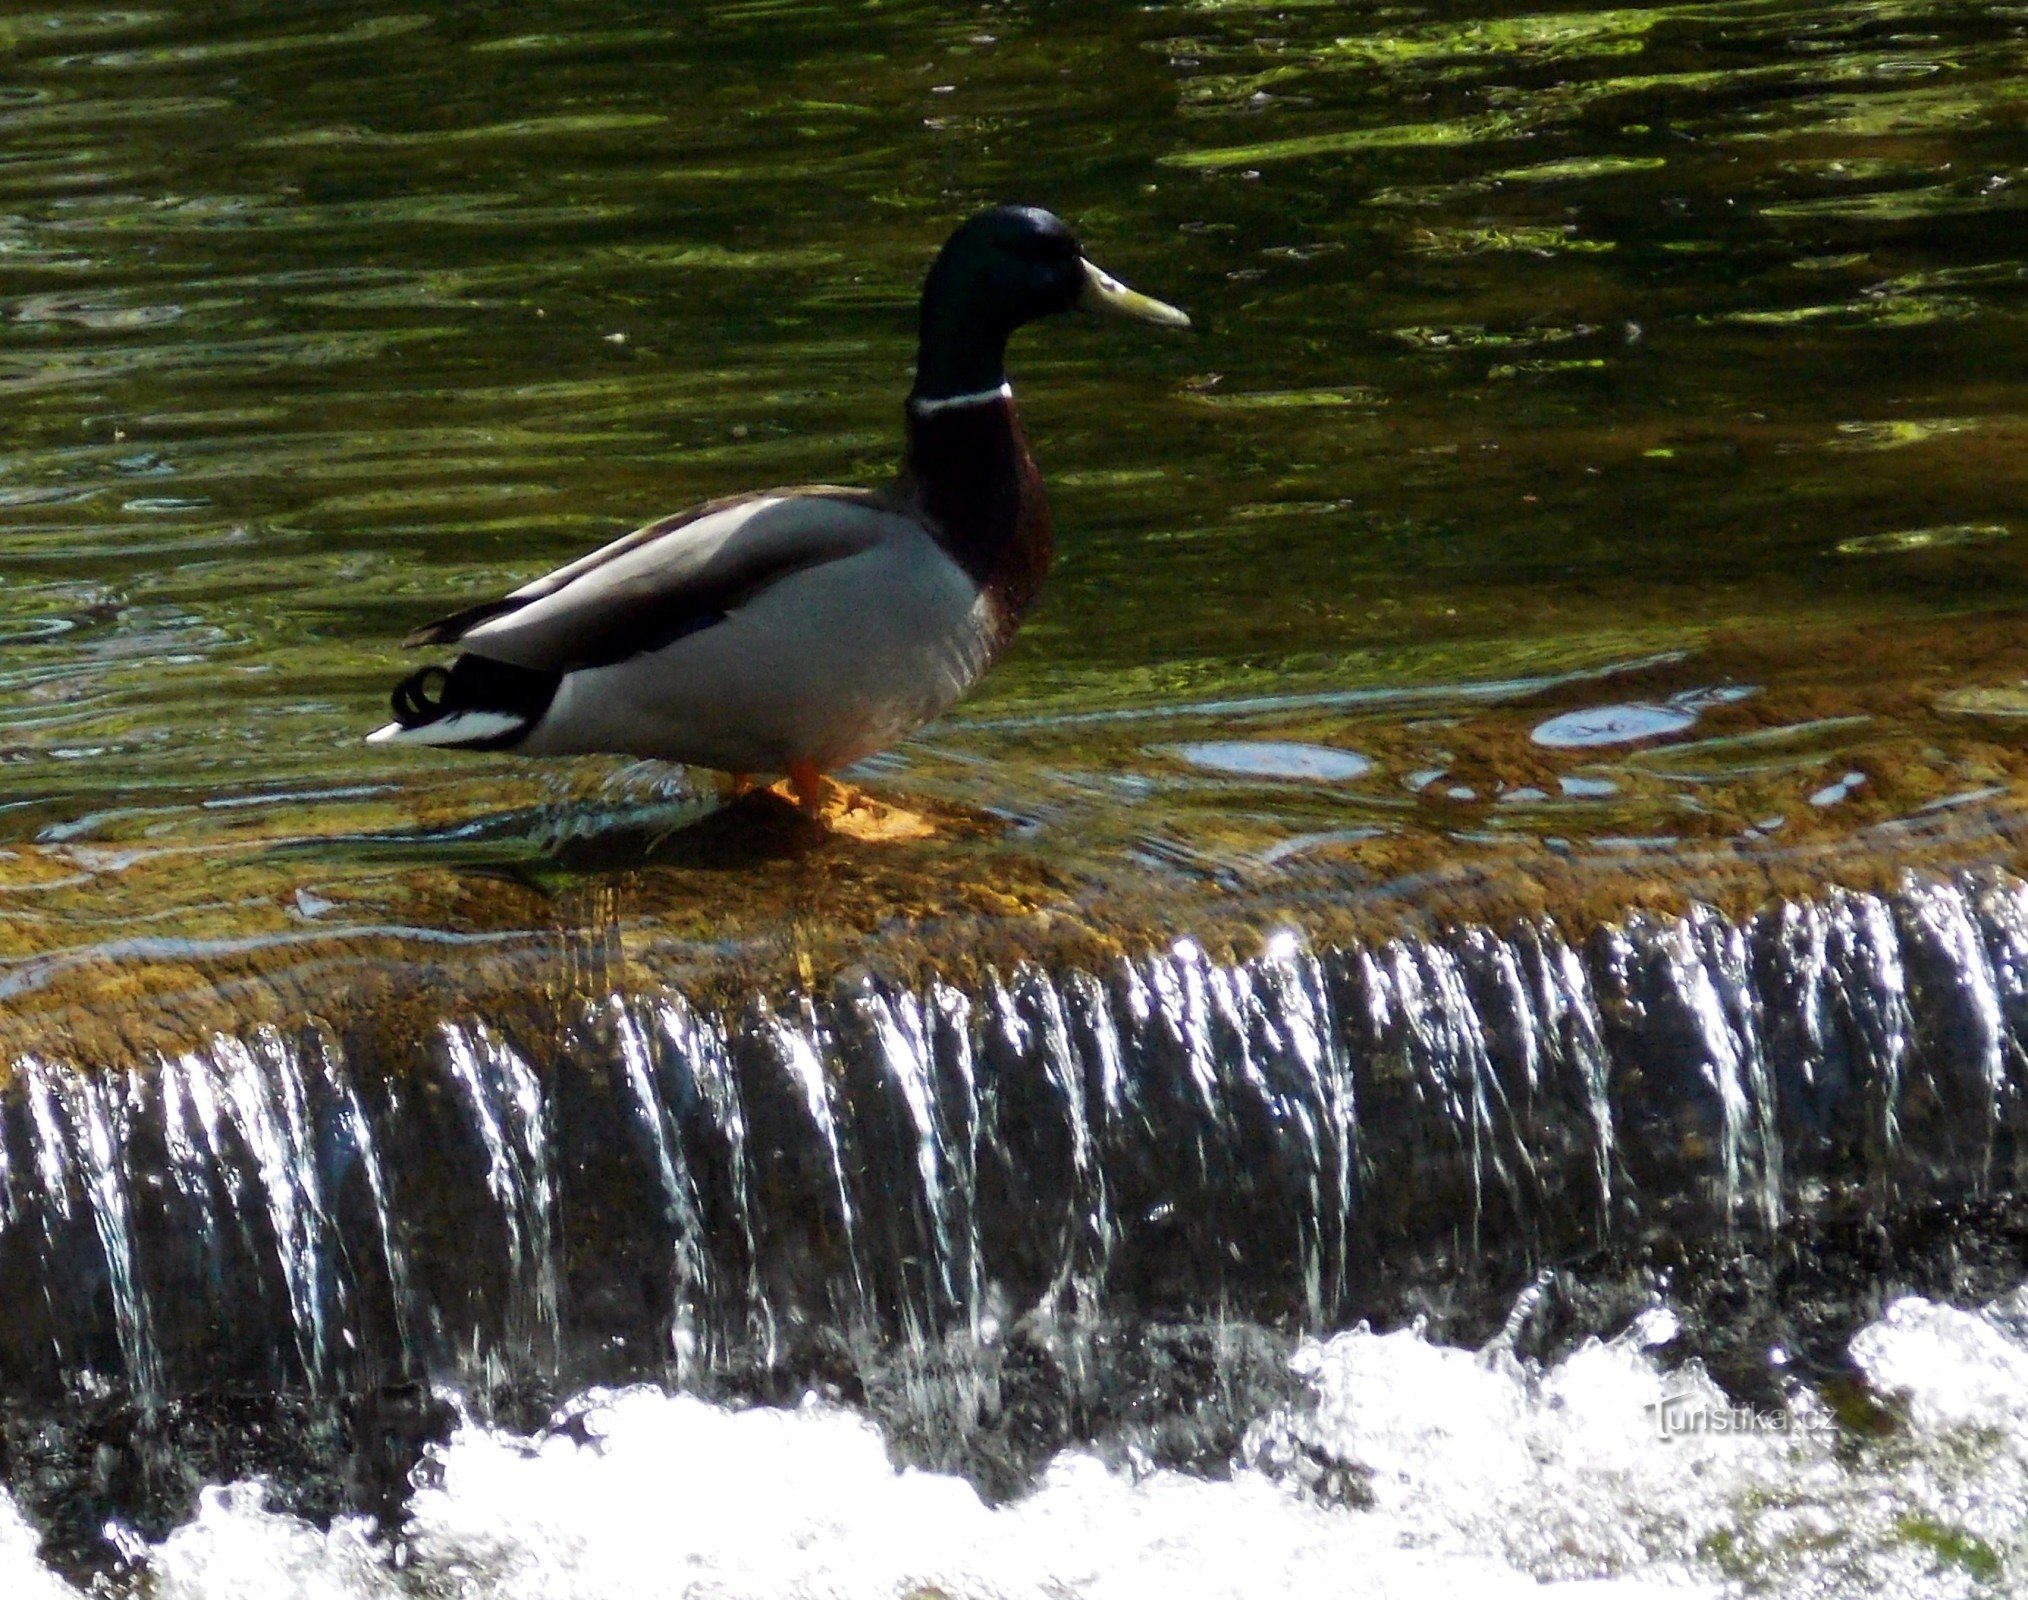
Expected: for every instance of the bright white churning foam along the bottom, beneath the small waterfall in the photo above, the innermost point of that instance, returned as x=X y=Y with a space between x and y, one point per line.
x=1486 y=1477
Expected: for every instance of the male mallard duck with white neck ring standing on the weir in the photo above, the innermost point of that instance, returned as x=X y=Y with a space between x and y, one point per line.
x=796 y=630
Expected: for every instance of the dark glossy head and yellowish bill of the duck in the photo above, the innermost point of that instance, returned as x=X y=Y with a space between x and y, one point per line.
x=999 y=271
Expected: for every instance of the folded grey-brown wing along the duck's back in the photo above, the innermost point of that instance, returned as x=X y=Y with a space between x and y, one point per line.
x=674 y=577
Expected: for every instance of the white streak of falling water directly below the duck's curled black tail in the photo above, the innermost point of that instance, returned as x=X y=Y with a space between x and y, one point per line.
x=506 y=1102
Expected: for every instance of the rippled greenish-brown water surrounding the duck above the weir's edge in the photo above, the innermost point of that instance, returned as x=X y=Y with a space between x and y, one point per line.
x=1603 y=431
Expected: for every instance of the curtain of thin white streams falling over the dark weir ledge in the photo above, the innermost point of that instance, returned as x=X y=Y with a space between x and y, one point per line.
x=1301 y=1139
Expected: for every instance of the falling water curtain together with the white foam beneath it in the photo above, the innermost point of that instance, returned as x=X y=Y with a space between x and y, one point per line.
x=1080 y=1246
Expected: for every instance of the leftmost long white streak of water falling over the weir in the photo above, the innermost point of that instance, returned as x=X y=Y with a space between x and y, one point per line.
x=82 y=1124
